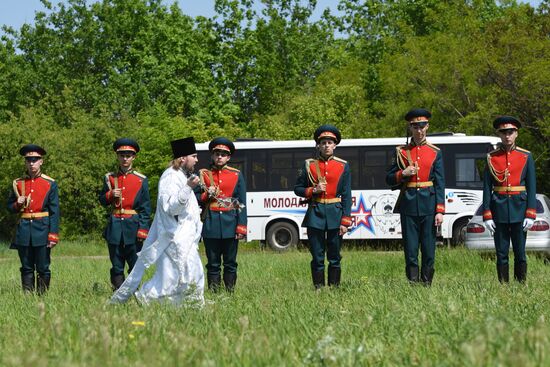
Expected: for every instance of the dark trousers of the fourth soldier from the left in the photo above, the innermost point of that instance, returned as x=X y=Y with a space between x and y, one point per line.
x=321 y=242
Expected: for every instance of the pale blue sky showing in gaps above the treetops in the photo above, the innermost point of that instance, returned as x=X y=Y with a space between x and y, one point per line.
x=15 y=13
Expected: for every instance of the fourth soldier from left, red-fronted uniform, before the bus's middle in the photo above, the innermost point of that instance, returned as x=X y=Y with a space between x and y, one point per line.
x=326 y=182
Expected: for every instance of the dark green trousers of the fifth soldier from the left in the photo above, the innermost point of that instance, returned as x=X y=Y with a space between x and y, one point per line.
x=419 y=231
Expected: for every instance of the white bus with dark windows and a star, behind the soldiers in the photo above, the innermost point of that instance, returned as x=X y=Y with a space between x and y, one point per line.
x=275 y=214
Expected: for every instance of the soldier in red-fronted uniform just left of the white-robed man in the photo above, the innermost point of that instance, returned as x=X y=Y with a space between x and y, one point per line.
x=127 y=193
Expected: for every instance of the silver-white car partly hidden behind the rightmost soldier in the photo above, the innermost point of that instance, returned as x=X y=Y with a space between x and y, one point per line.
x=538 y=237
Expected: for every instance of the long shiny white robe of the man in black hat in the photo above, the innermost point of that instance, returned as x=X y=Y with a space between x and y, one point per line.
x=172 y=245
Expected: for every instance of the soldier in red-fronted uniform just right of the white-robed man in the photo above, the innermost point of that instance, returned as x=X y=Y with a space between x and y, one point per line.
x=223 y=196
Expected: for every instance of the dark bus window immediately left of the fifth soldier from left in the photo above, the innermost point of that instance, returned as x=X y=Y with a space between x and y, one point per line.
x=375 y=167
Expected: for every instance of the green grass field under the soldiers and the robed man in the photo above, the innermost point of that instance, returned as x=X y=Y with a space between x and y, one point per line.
x=276 y=319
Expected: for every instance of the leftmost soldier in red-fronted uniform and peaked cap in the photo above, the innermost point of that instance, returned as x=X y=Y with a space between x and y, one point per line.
x=35 y=198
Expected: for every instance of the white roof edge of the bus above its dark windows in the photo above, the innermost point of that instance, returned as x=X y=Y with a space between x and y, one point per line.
x=285 y=144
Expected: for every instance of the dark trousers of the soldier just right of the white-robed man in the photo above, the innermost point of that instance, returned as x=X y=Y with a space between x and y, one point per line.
x=216 y=248
